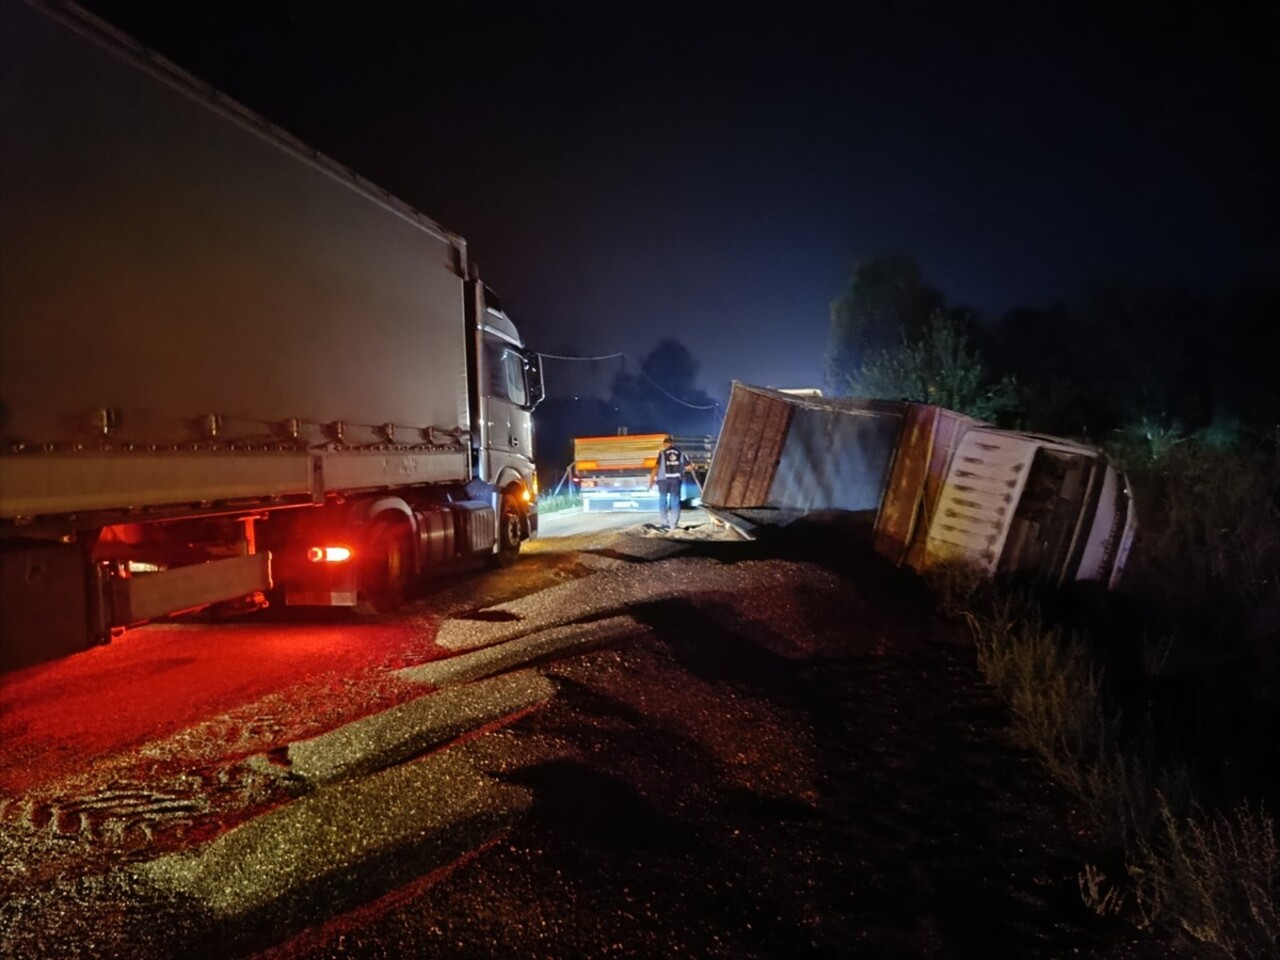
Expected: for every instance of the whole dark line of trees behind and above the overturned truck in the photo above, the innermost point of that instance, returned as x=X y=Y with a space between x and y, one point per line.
x=1119 y=358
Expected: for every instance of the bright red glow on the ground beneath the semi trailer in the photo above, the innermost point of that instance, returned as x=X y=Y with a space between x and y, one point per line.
x=57 y=719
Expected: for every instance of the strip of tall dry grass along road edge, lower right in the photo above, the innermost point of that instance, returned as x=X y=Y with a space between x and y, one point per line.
x=1212 y=876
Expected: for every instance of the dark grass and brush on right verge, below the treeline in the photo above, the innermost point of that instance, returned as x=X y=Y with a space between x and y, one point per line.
x=1176 y=767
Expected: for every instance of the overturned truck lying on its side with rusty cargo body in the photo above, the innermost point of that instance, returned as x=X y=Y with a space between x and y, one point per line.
x=936 y=487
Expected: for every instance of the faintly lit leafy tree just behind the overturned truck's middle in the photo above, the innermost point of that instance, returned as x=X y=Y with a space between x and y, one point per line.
x=940 y=367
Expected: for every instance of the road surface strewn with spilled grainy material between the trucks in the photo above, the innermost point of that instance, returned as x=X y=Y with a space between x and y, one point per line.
x=630 y=744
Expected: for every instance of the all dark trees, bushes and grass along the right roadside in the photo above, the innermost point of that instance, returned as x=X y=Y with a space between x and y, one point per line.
x=1158 y=706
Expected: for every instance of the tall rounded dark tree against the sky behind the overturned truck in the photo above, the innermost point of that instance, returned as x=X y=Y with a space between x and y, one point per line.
x=886 y=303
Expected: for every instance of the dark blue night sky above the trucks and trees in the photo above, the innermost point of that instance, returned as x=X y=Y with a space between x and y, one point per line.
x=627 y=171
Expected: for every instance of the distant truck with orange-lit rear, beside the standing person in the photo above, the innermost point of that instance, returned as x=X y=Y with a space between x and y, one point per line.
x=612 y=473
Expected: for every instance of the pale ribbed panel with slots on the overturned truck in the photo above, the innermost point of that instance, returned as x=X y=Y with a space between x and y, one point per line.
x=980 y=497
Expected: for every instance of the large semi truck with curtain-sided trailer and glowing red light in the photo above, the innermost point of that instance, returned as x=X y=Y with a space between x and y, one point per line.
x=232 y=371
